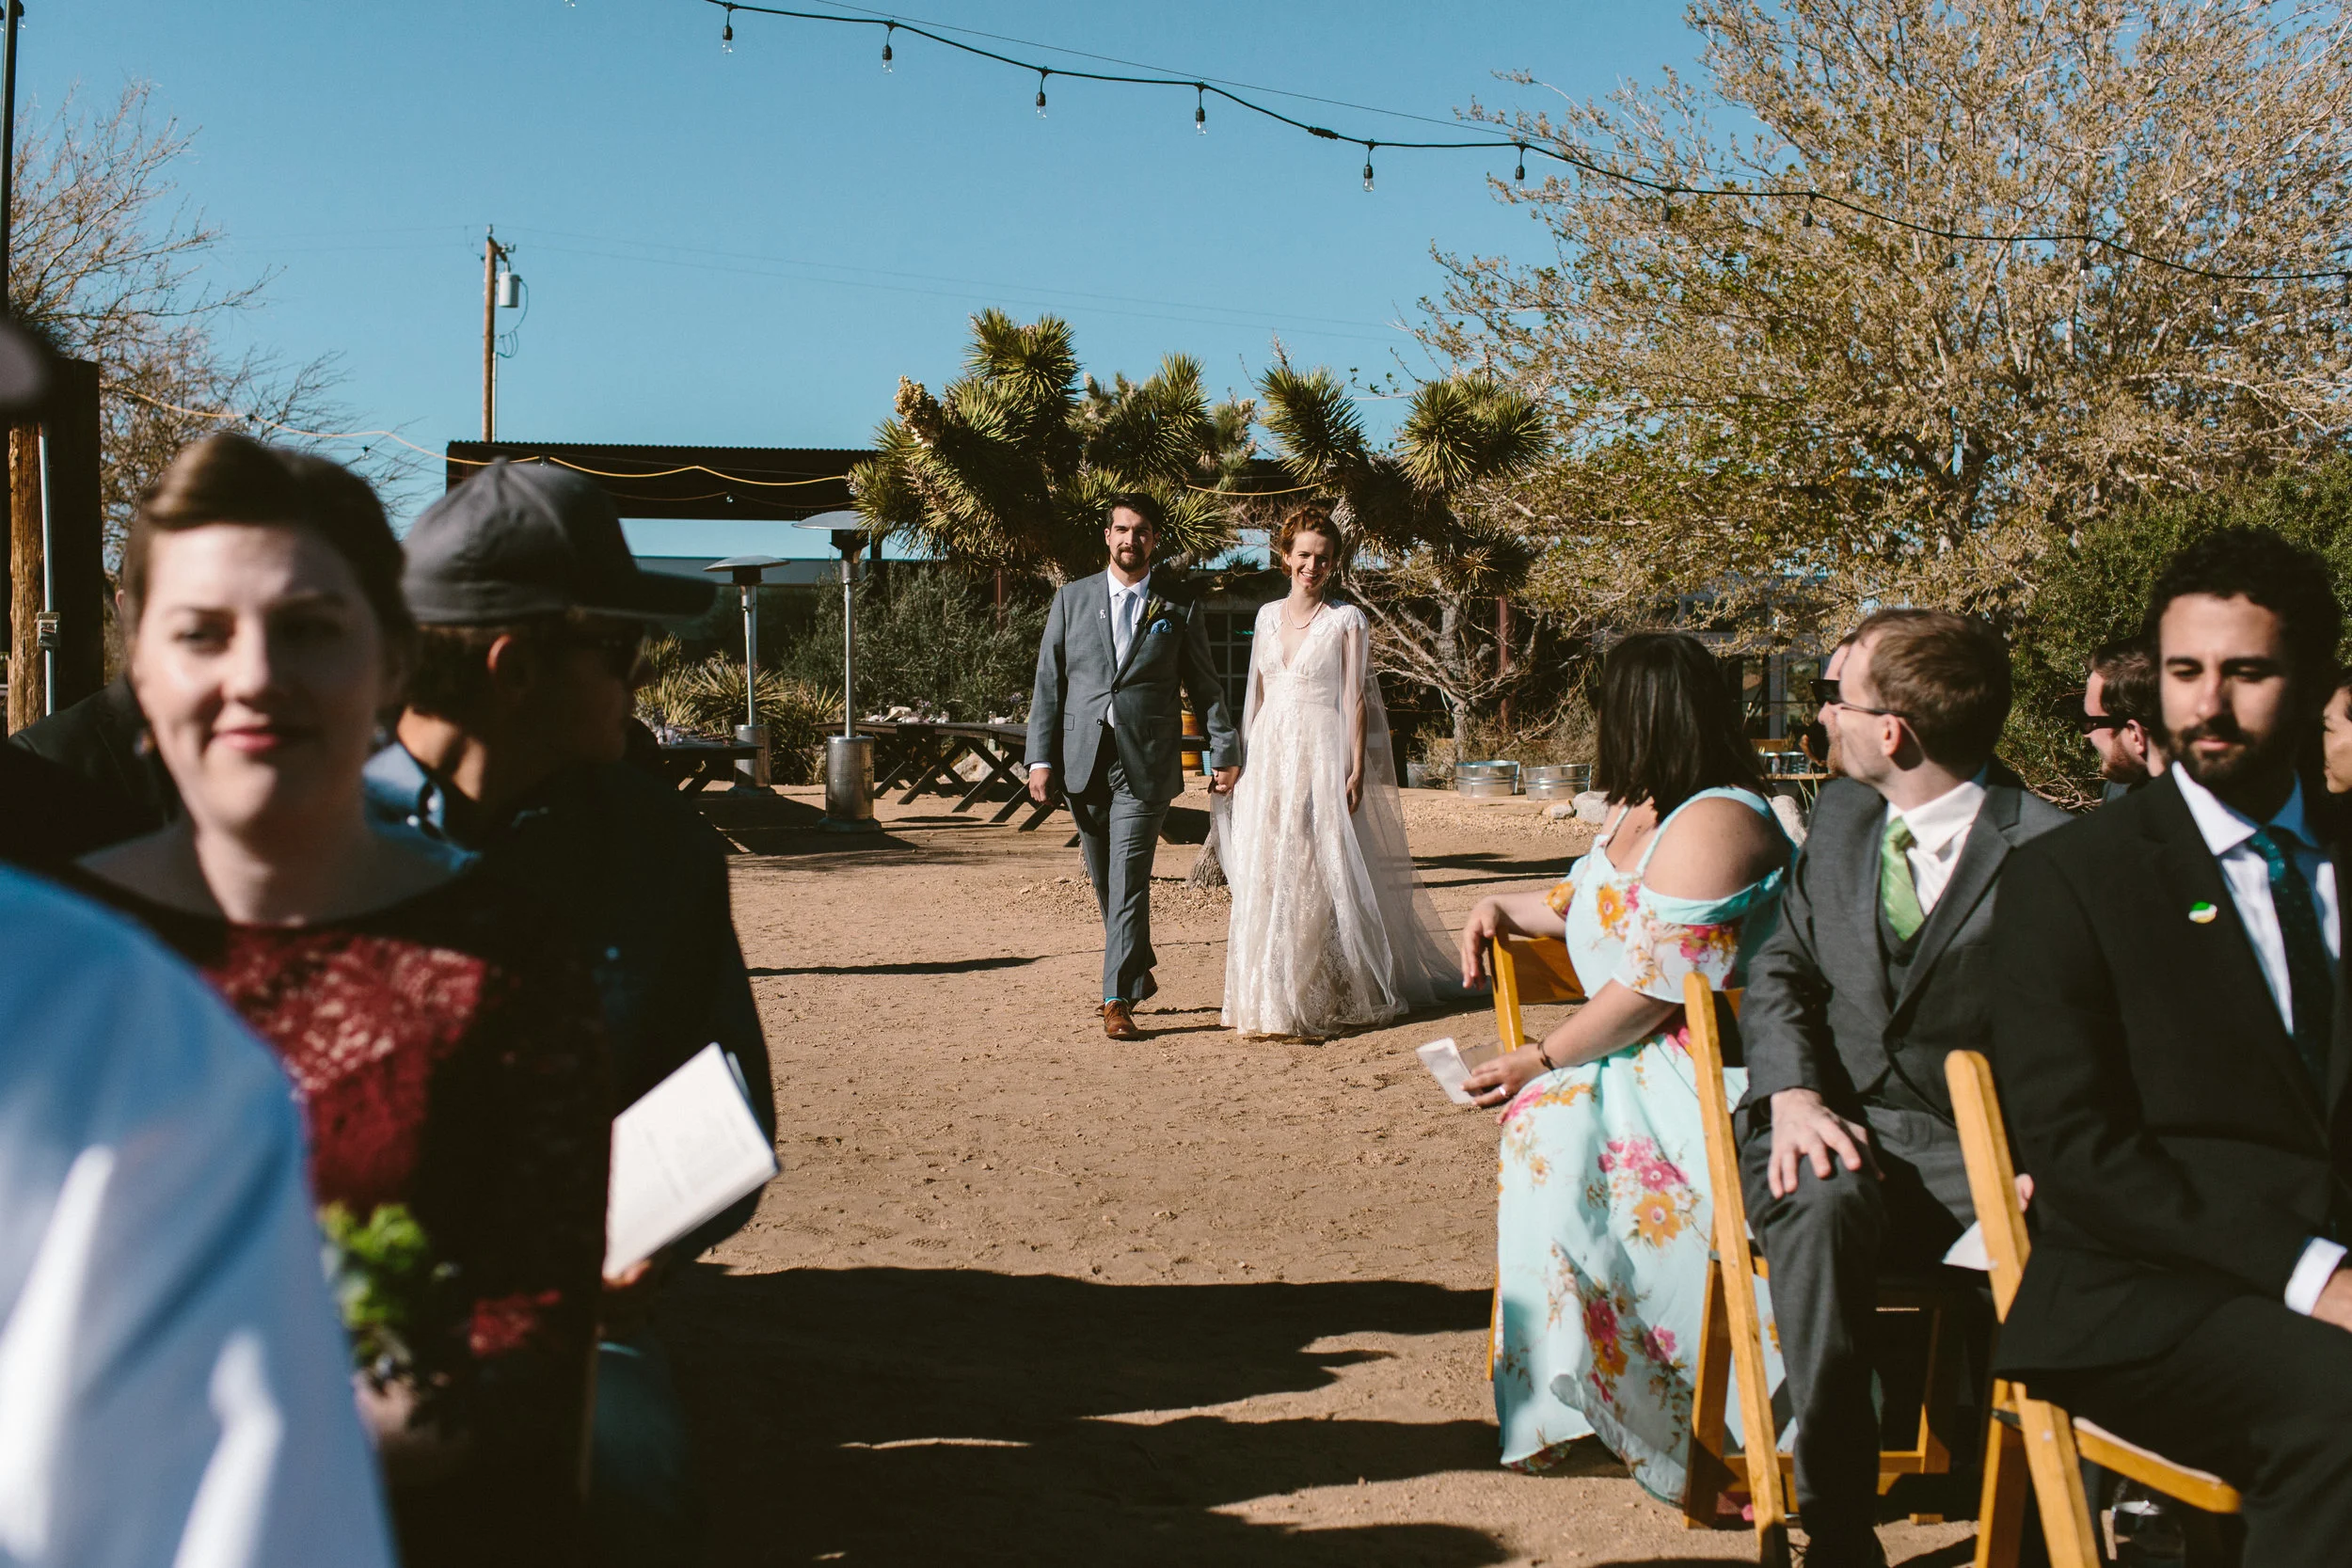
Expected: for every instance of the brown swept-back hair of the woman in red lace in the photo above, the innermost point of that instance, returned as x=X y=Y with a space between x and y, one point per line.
x=234 y=478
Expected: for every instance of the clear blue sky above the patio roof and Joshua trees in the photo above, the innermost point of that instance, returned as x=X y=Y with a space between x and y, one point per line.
x=751 y=248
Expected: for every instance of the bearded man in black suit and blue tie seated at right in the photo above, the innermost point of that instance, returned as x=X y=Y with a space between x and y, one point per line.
x=2172 y=1057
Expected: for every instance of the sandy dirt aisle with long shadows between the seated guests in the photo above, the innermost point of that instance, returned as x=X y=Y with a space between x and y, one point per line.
x=1031 y=1296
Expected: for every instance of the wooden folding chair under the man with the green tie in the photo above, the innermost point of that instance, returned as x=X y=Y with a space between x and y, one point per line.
x=1732 y=1334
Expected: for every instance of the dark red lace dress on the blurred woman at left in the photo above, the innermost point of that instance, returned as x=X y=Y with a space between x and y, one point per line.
x=450 y=1057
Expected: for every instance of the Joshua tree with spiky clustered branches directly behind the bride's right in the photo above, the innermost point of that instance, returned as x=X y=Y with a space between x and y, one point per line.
x=1424 y=554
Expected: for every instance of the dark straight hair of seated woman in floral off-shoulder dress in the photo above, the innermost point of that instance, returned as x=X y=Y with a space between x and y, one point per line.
x=1671 y=725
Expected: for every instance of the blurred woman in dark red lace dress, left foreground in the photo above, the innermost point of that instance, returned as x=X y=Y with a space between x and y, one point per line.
x=446 y=1054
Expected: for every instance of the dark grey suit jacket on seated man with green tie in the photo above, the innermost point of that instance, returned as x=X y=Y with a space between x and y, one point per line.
x=1824 y=1010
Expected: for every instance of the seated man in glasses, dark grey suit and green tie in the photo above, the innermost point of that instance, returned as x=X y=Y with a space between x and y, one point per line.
x=1850 y=1160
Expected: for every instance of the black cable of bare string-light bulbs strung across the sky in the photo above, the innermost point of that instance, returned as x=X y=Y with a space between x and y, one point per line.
x=1666 y=189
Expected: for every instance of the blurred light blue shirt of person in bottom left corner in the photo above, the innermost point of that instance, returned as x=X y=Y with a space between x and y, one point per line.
x=175 y=1386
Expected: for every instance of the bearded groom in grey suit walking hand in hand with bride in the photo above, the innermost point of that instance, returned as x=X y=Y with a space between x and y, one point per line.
x=1107 y=725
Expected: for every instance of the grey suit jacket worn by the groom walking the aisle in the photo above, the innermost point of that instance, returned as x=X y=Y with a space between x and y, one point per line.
x=1081 y=681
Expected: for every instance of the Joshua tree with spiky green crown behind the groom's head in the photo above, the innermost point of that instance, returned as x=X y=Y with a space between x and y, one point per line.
x=1010 y=464
